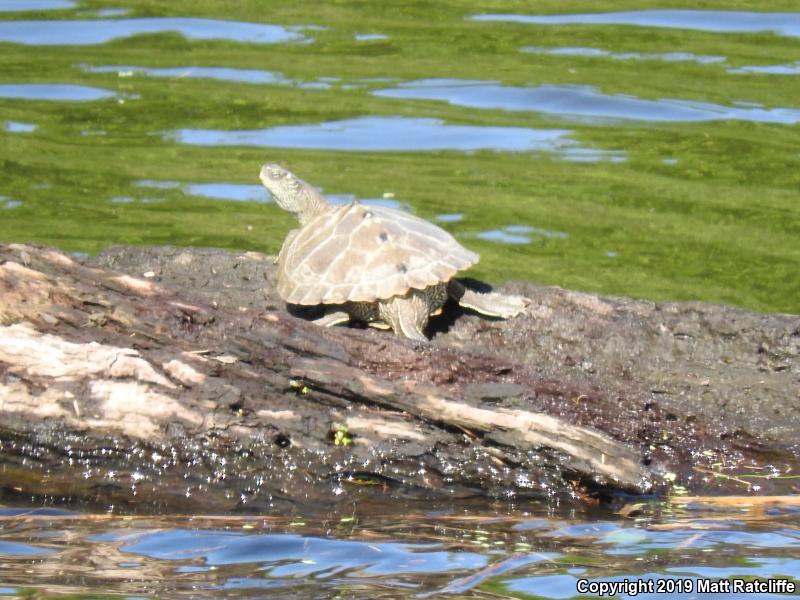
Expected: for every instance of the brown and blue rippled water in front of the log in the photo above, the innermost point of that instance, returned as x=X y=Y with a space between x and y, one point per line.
x=489 y=549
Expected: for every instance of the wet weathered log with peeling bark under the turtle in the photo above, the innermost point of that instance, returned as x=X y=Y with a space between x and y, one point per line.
x=176 y=376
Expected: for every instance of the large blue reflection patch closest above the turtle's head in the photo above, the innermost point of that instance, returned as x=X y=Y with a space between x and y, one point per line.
x=395 y=134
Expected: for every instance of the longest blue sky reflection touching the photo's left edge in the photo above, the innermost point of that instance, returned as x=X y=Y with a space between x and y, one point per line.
x=88 y=32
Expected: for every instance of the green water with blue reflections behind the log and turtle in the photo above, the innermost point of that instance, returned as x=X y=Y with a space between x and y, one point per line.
x=572 y=134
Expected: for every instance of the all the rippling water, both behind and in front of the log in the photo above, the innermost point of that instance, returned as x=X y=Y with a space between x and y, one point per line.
x=650 y=153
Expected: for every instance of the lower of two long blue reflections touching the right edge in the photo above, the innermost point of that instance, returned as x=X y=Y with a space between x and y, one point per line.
x=581 y=101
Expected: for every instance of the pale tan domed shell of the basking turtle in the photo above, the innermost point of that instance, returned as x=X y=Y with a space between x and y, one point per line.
x=357 y=253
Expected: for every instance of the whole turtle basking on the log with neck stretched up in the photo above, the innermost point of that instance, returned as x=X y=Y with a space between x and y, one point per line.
x=382 y=266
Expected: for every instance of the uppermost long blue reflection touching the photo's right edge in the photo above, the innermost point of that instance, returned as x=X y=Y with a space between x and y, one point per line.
x=786 y=23
